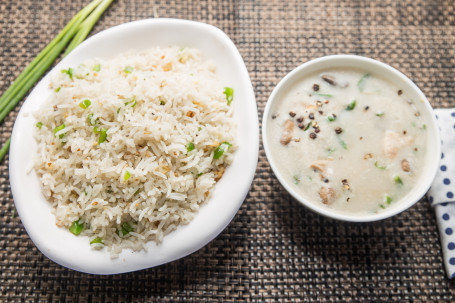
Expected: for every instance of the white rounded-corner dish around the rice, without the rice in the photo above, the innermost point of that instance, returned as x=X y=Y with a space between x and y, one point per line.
x=58 y=244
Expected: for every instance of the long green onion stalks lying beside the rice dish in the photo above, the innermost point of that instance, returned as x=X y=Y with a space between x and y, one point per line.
x=75 y=31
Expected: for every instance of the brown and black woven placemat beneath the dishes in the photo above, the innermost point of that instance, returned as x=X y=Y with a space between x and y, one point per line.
x=274 y=249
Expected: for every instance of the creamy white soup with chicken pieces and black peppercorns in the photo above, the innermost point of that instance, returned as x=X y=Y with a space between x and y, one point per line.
x=348 y=140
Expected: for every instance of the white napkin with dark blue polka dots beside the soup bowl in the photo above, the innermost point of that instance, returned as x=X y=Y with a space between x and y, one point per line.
x=441 y=193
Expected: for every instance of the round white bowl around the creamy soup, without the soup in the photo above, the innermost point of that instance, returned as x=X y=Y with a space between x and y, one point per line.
x=433 y=147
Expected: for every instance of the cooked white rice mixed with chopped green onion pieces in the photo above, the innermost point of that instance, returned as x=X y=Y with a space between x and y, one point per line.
x=152 y=104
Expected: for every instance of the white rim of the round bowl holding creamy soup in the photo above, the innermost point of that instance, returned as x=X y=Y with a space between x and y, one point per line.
x=298 y=72
